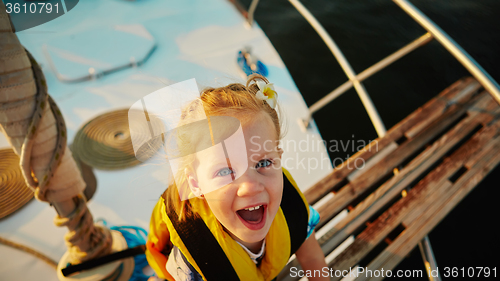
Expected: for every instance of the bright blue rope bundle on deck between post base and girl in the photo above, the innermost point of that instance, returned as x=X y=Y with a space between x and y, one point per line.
x=135 y=236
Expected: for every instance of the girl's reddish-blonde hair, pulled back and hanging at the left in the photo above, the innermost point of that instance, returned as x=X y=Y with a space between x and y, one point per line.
x=232 y=100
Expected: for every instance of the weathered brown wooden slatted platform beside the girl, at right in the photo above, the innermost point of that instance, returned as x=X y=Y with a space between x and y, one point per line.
x=412 y=178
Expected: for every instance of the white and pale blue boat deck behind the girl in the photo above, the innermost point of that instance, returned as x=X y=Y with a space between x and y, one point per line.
x=194 y=39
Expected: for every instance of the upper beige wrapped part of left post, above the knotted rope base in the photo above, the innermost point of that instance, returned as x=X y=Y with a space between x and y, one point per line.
x=34 y=125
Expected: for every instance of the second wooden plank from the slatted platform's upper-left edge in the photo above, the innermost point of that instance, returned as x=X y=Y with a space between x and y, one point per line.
x=353 y=189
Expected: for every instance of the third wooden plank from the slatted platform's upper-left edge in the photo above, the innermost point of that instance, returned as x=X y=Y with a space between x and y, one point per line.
x=392 y=188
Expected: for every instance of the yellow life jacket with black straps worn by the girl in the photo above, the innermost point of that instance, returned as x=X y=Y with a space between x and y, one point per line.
x=213 y=253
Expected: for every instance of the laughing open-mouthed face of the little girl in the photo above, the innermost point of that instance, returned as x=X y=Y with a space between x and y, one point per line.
x=245 y=207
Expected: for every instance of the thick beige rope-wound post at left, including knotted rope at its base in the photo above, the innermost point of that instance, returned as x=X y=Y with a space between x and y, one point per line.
x=35 y=128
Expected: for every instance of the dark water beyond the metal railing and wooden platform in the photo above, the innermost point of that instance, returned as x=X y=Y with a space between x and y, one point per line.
x=367 y=31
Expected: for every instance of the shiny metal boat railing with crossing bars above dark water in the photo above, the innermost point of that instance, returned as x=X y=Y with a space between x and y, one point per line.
x=433 y=32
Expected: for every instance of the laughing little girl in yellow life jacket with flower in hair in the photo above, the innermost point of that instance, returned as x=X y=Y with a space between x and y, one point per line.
x=244 y=215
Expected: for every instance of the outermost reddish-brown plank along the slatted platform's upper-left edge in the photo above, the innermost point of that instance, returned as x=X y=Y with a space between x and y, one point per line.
x=438 y=104
